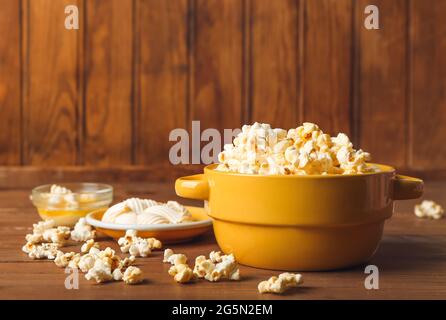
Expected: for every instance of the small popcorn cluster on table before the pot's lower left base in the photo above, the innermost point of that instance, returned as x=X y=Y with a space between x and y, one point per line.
x=215 y=268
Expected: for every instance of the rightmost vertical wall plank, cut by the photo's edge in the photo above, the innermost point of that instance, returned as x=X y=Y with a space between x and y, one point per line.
x=428 y=84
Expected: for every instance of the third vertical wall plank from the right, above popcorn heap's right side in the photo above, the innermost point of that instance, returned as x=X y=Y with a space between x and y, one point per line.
x=328 y=64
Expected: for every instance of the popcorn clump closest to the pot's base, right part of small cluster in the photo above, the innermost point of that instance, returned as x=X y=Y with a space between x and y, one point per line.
x=210 y=270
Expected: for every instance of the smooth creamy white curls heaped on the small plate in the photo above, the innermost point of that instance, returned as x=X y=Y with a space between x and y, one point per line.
x=146 y=211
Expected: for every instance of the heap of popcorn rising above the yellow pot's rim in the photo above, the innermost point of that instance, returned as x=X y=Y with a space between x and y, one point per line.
x=306 y=150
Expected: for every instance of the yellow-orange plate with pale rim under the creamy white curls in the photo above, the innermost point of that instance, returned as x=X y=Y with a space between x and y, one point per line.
x=164 y=232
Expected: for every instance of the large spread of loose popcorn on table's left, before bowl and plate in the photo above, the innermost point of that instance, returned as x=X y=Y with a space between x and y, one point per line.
x=98 y=265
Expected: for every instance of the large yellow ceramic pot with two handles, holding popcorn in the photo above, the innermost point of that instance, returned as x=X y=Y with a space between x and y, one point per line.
x=299 y=222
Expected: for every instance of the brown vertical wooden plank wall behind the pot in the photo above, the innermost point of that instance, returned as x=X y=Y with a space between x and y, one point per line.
x=107 y=95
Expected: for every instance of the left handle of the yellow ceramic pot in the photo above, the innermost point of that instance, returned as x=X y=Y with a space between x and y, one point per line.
x=192 y=187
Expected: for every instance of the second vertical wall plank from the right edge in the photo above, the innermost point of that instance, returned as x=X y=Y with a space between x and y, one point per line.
x=381 y=92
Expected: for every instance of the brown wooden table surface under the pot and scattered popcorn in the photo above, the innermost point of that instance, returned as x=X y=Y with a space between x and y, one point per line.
x=411 y=260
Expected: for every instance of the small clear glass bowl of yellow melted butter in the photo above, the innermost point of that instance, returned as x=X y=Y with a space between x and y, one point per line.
x=67 y=209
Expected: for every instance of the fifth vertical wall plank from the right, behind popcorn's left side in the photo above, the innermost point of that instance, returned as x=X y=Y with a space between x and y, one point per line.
x=217 y=48
